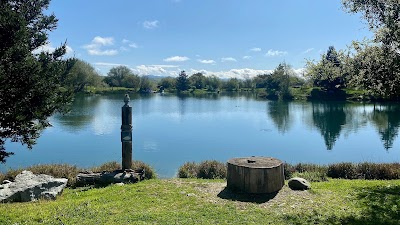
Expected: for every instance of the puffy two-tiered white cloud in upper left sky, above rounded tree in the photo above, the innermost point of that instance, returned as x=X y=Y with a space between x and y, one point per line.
x=97 y=44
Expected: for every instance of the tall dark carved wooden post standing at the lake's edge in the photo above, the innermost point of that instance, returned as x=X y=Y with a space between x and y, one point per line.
x=126 y=134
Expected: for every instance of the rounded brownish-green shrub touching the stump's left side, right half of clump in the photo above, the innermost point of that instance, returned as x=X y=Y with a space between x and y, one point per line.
x=211 y=169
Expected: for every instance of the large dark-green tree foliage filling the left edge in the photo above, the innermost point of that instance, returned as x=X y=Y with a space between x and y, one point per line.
x=26 y=101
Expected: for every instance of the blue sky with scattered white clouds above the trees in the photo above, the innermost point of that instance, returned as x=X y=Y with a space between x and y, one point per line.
x=226 y=38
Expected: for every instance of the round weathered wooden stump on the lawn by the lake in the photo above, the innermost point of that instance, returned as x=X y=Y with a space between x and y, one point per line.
x=255 y=175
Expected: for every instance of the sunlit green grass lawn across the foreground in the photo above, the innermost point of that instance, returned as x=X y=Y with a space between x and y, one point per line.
x=196 y=201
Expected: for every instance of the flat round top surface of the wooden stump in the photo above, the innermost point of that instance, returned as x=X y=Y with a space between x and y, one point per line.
x=255 y=162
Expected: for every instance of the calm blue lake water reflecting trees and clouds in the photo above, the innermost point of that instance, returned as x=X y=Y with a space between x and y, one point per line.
x=169 y=130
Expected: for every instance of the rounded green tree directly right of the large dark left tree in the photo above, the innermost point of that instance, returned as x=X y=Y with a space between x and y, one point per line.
x=82 y=74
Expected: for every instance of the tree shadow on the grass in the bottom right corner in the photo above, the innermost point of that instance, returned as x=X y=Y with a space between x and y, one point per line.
x=378 y=206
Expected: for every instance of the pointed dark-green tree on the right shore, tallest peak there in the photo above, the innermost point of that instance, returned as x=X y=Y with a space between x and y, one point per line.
x=328 y=73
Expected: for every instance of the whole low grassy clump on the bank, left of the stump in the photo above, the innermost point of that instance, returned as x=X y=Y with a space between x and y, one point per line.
x=208 y=169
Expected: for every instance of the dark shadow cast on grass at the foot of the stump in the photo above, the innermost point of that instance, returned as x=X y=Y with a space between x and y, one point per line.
x=245 y=197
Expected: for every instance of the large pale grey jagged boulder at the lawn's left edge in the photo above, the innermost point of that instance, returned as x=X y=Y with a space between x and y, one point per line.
x=30 y=187
